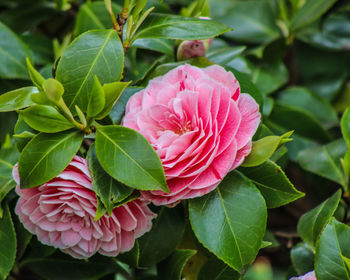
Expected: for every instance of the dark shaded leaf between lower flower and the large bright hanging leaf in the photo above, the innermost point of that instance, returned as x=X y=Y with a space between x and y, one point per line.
x=165 y=235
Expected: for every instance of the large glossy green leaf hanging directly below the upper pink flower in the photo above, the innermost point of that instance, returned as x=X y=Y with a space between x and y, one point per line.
x=230 y=221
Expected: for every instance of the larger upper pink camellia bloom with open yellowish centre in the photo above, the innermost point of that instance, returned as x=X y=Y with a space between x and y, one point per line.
x=199 y=124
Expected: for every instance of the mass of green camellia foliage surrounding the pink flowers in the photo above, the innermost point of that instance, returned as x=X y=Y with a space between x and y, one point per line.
x=292 y=56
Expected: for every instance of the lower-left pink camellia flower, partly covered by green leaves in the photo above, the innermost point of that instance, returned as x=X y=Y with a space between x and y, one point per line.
x=61 y=213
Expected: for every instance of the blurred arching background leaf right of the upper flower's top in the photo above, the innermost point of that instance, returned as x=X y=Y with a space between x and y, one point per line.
x=302 y=98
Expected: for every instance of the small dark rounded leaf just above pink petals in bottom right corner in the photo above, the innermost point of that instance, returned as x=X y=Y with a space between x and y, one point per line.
x=302 y=258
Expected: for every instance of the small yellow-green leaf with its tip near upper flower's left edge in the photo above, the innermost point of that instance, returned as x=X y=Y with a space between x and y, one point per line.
x=112 y=93
